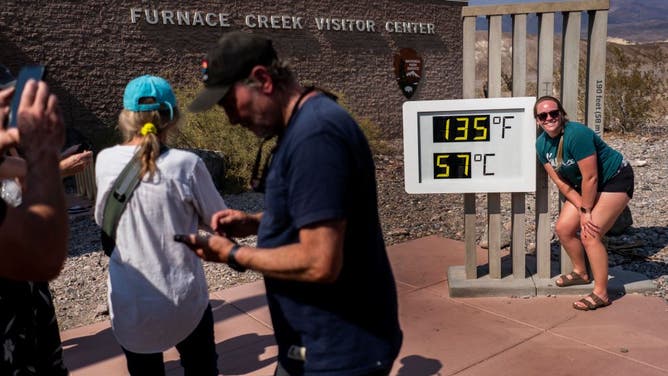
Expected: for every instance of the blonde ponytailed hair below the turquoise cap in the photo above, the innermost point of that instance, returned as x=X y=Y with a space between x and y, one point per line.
x=130 y=124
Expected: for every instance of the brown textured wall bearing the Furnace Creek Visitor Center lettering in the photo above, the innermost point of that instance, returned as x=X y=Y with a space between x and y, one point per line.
x=92 y=48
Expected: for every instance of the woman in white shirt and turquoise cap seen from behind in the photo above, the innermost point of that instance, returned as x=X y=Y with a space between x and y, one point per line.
x=158 y=296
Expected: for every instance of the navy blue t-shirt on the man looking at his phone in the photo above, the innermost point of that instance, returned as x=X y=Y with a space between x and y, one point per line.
x=323 y=170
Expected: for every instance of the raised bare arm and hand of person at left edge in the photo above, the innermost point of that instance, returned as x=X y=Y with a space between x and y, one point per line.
x=40 y=134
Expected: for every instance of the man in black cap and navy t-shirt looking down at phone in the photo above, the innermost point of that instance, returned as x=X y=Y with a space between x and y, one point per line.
x=329 y=283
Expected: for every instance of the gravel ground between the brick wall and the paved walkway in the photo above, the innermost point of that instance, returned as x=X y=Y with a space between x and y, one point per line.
x=80 y=290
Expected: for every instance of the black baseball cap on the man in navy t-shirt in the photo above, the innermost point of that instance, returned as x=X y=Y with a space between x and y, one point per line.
x=230 y=61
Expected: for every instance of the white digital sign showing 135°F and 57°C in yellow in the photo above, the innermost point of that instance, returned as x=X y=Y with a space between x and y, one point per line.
x=470 y=145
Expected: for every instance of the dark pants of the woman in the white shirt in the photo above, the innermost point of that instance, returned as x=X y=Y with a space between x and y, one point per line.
x=198 y=353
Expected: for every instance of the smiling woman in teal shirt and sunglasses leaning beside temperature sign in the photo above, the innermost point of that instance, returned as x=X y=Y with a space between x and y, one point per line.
x=597 y=183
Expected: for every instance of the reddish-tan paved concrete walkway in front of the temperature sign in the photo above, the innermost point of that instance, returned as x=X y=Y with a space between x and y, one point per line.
x=442 y=335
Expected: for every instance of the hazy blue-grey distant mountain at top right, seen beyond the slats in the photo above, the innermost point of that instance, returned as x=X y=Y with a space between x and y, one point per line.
x=639 y=21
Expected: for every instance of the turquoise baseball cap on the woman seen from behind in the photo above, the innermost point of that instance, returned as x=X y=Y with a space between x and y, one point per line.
x=148 y=86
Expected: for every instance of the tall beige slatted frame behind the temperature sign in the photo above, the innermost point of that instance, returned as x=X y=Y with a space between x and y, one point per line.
x=569 y=78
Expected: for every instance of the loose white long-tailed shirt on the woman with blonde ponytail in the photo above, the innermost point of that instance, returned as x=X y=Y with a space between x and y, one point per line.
x=157 y=288
